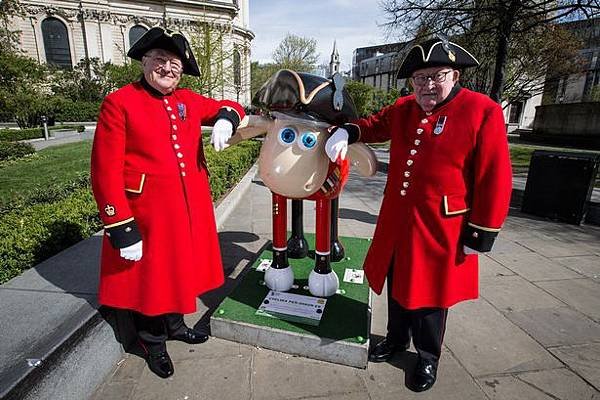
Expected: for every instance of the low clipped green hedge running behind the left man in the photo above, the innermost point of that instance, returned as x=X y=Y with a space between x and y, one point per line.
x=51 y=219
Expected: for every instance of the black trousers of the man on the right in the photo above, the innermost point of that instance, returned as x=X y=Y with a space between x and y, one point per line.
x=426 y=326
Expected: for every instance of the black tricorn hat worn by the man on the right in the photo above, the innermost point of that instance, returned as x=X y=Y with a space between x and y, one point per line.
x=434 y=53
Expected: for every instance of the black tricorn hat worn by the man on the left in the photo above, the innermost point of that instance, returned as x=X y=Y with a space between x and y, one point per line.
x=162 y=38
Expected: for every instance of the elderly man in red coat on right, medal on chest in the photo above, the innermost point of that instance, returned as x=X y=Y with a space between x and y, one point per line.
x=446 y=198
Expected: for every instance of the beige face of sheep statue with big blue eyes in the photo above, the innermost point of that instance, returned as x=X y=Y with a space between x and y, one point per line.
x=292 y=159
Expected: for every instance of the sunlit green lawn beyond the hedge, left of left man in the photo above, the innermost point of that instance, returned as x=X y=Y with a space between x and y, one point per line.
x=47 y=168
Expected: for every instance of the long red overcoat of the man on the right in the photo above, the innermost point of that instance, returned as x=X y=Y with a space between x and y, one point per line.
x=449 y=171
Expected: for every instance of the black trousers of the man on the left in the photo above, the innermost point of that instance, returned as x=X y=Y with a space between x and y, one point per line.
x=153 y=331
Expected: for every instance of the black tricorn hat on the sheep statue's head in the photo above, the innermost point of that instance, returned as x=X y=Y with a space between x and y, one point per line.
x=307 y=96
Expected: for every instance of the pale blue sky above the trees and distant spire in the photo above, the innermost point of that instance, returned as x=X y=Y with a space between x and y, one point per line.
x=352 y=23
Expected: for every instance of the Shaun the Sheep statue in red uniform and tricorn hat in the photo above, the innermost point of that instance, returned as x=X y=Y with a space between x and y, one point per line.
x=298 y=111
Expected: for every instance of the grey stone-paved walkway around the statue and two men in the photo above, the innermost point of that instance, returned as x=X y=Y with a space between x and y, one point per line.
x=533 y=334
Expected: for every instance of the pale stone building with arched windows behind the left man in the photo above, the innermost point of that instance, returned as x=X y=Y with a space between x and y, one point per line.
x=64 y=32
